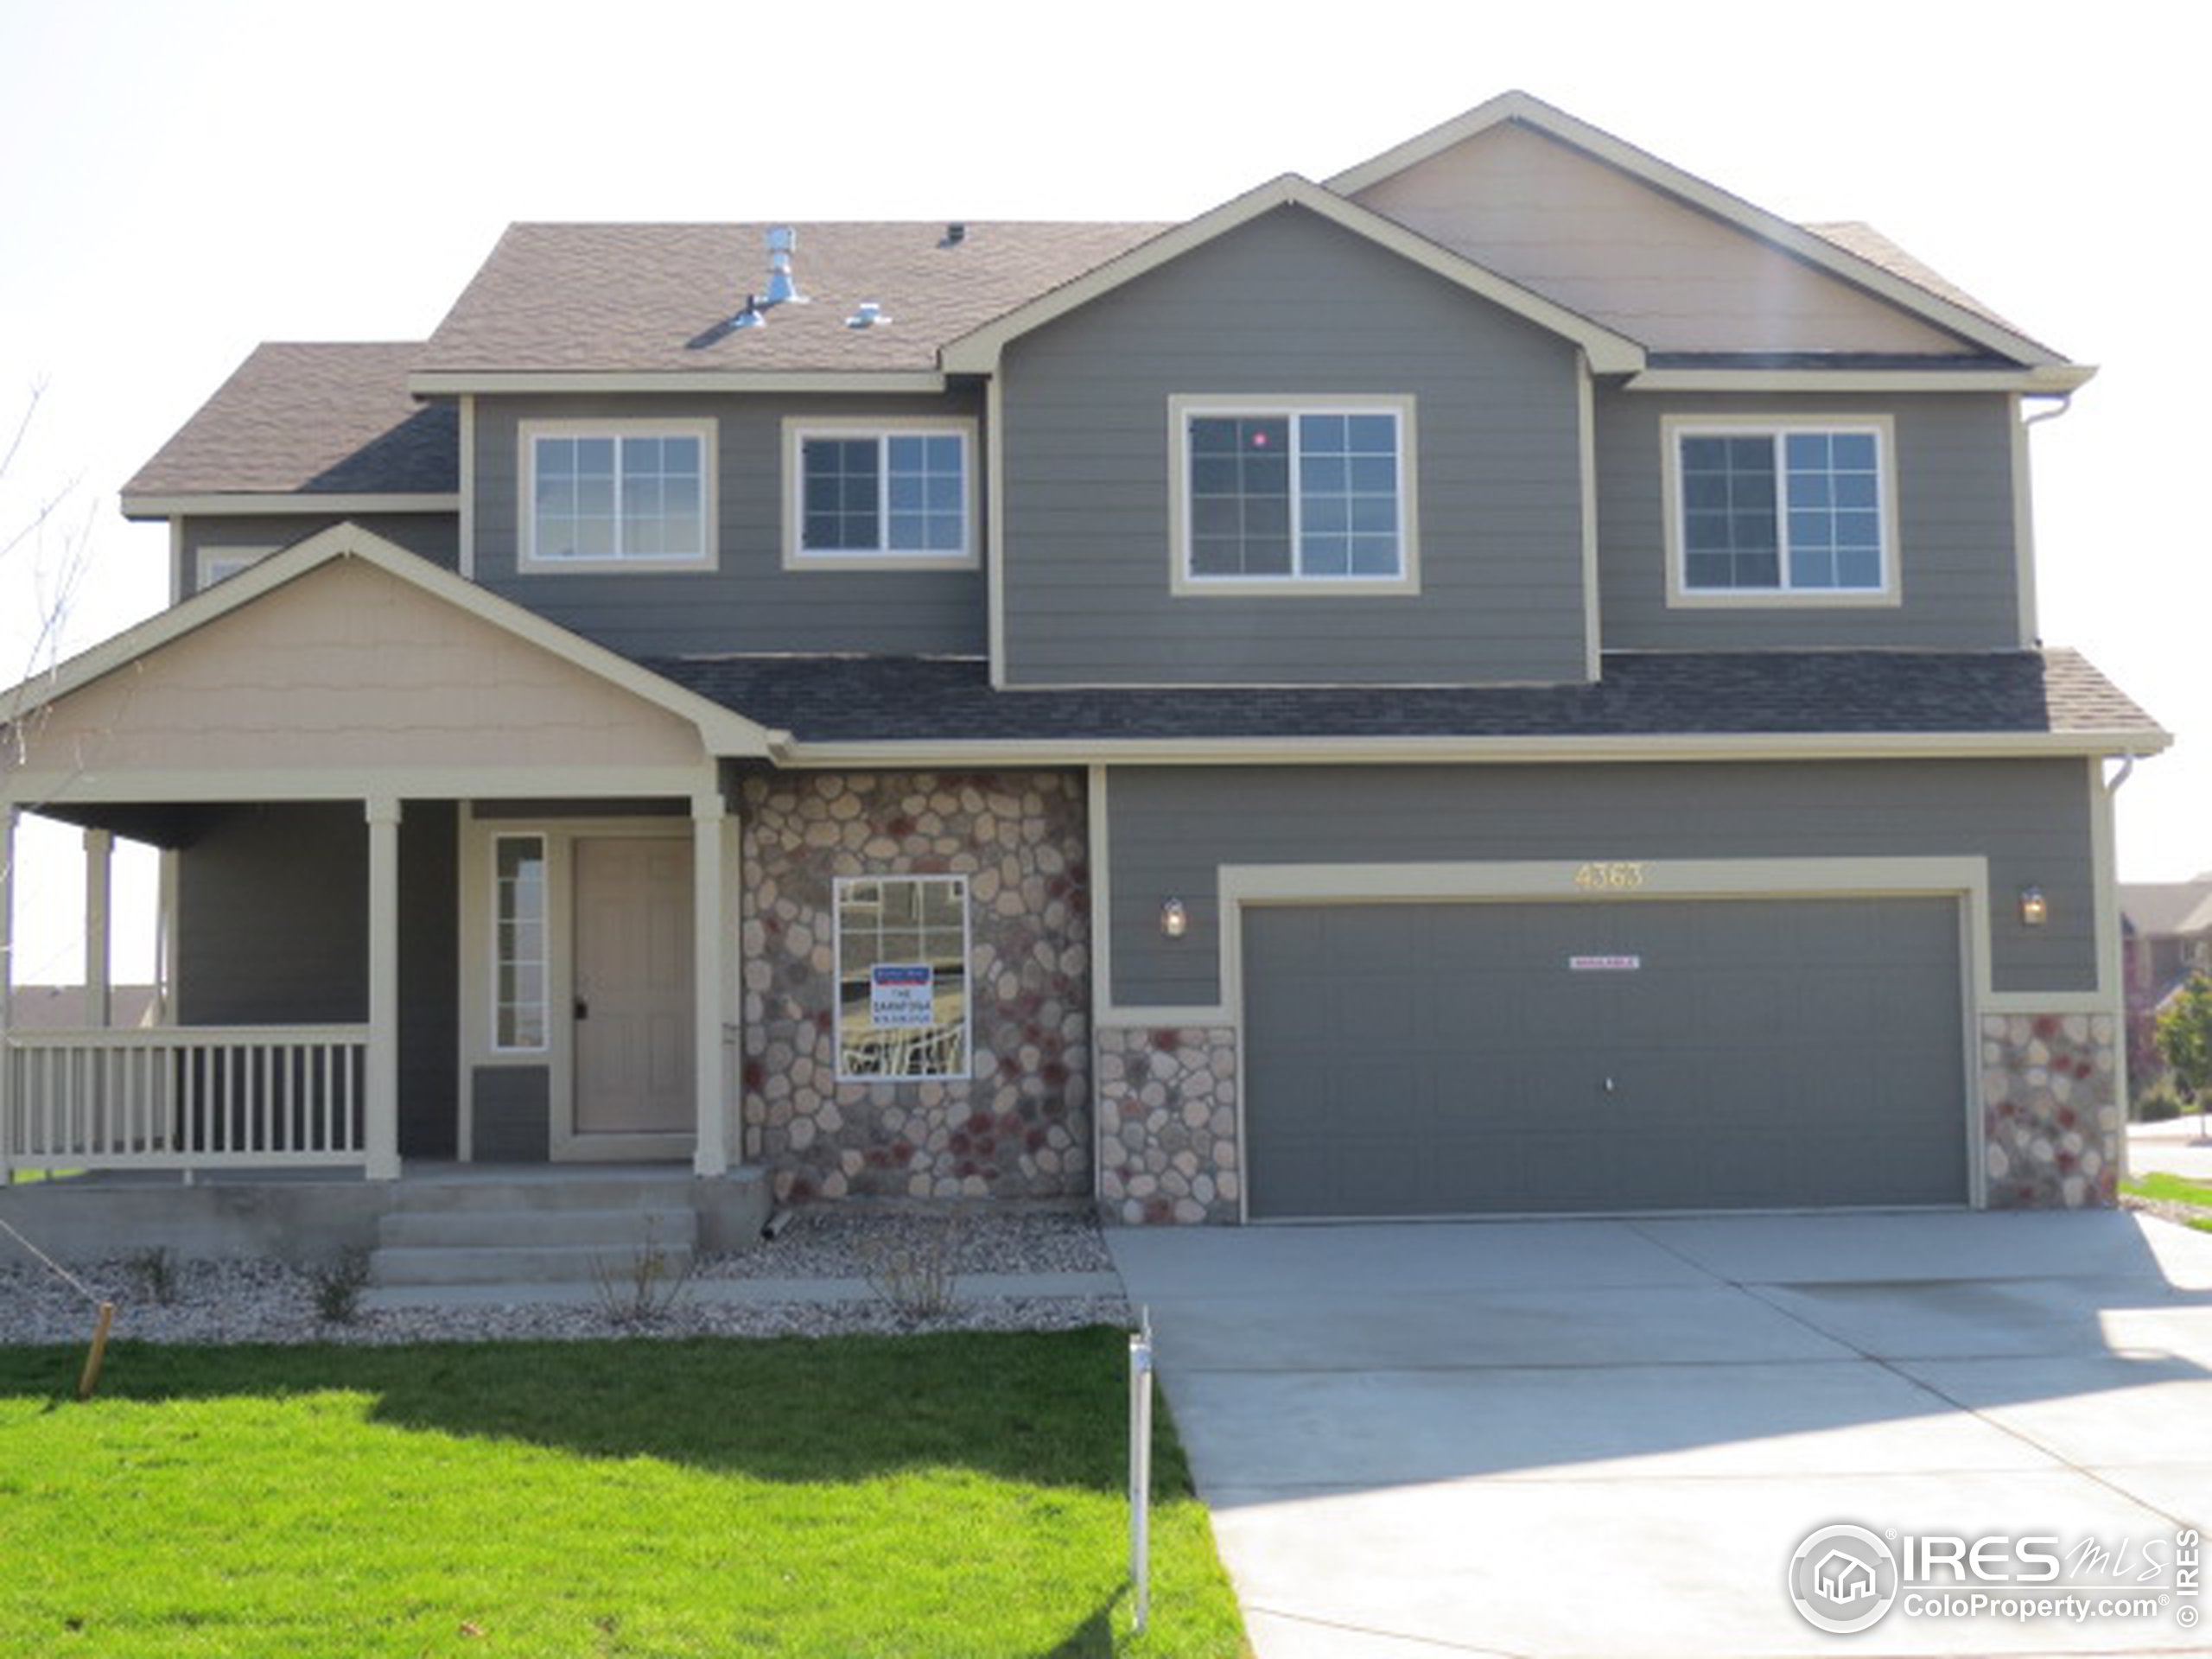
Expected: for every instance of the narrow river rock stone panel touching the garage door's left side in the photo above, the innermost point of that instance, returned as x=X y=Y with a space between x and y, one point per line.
x=1169 y=1125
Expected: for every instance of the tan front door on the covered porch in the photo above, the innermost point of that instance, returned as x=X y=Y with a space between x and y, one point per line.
x=634 y=985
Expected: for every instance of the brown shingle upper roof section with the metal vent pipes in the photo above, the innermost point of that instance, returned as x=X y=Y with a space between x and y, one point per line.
x=658 y=298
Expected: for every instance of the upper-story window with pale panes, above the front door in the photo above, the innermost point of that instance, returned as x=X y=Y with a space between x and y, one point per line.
x=618 y=494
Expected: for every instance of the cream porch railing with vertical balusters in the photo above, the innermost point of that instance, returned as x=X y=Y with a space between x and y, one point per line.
x=185 y=1098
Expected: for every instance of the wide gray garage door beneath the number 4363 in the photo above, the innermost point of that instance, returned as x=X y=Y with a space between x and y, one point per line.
x=1603 y=1056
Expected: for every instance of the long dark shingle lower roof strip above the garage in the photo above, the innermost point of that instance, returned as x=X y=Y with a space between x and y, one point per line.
x=831 y=700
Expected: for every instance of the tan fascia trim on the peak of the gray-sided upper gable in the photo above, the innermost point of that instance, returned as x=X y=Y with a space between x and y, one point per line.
x=979 y=351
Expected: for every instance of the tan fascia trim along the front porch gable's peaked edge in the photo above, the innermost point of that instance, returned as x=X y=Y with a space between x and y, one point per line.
x=722 y=731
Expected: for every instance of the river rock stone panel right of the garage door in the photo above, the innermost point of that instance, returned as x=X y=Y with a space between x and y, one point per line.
x=2052 y=1116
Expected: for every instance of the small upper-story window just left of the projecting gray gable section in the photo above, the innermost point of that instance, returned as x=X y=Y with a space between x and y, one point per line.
x=868 y=494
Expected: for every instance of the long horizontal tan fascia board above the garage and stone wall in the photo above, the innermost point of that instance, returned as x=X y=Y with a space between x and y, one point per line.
x=1457 y=751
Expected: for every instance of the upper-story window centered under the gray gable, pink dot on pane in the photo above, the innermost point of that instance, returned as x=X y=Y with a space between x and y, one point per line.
x=1291 y=497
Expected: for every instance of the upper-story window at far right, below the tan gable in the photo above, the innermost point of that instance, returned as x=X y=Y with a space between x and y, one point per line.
x=1782 y=512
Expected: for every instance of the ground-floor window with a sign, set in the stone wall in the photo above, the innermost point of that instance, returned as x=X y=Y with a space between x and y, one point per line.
x=901 y=979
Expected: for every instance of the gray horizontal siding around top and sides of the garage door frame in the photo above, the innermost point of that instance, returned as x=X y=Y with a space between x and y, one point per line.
x=1173 y=828
